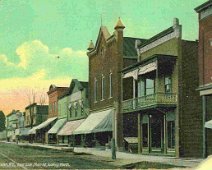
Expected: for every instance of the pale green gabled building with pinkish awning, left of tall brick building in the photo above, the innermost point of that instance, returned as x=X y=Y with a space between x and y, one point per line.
x=74 y=107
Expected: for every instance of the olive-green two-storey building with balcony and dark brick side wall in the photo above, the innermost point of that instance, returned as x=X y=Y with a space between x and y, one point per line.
x=164 y=97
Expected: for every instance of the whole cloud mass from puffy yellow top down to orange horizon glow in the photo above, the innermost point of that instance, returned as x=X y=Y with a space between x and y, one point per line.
x=37 y=68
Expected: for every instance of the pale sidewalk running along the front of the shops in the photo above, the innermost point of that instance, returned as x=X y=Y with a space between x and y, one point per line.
x=123 y=158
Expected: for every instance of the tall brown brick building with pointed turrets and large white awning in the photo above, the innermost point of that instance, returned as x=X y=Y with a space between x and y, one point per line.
x=110 y=54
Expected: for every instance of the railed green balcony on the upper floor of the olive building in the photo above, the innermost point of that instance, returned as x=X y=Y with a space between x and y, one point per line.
x=149 y=101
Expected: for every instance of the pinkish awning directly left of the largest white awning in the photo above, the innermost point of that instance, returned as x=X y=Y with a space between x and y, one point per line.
x=69 y=127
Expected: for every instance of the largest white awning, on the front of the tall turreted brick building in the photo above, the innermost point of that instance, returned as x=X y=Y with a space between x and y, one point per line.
x=96 y=122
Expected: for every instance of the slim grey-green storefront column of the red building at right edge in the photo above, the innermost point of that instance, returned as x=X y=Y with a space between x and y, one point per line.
x=203 y=126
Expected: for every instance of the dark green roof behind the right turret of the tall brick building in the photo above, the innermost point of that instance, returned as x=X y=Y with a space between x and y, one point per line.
x=129 y=47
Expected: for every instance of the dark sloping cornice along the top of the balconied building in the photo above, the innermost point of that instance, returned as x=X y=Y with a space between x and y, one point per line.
x=157 y=36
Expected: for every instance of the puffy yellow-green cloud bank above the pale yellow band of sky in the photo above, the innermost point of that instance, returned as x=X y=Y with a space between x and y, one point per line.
x=35 y=55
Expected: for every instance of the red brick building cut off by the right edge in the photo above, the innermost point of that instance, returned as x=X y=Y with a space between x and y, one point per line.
x=205 y=72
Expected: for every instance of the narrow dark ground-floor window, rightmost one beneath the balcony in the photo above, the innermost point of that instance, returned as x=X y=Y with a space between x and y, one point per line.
x=171 y=134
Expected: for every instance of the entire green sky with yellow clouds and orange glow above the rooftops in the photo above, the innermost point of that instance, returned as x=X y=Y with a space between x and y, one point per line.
x=33 y=33
